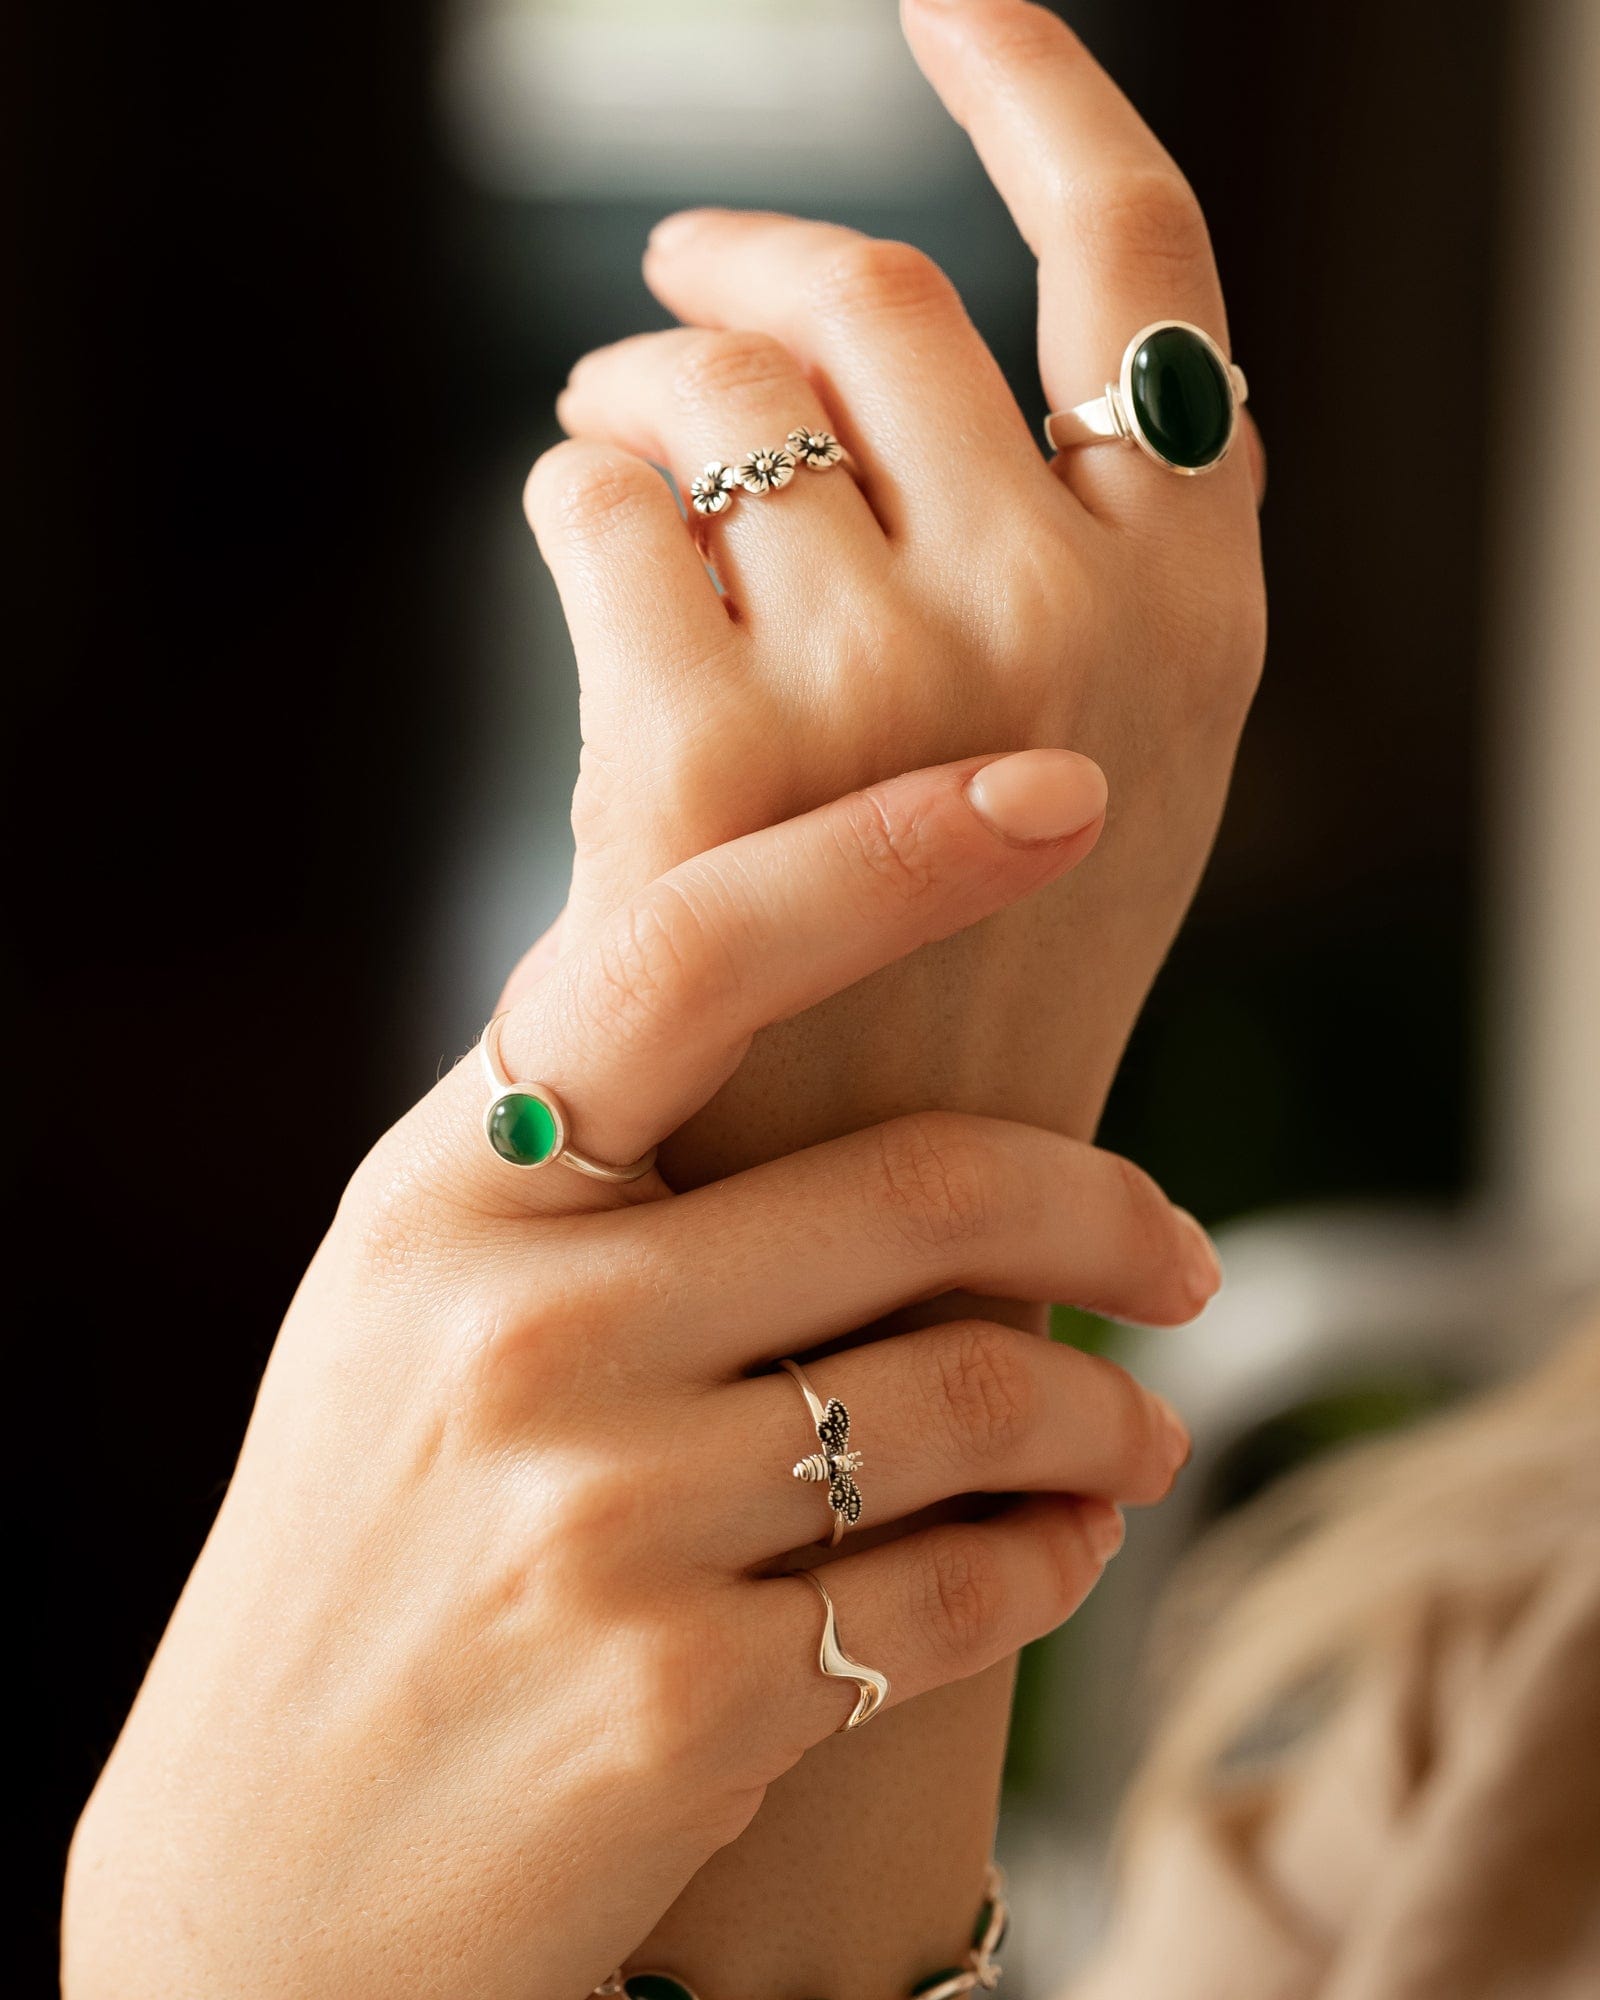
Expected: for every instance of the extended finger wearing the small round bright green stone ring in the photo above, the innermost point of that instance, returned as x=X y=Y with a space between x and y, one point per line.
x=649 y=1019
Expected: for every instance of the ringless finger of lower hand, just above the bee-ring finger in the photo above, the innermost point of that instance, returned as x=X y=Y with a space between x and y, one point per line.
x=909 y=1211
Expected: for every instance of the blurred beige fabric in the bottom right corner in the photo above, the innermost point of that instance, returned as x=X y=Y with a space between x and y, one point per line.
x=1439 y=1839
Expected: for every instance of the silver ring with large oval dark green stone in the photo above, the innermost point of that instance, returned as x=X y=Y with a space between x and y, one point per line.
x=1177 y=399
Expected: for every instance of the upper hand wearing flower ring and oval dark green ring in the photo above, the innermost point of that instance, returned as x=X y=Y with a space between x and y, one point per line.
x=955 y=593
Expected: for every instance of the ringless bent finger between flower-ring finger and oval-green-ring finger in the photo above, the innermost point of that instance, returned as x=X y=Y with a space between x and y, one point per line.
x=879 y=327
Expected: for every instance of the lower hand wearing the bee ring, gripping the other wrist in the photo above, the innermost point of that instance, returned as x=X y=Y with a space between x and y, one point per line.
x=485 y=1655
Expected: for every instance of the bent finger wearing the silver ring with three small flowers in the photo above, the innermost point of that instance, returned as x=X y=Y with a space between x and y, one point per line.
x=693 y=401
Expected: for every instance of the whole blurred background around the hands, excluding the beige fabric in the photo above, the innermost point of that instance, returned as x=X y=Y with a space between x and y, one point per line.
x=295 y=293
